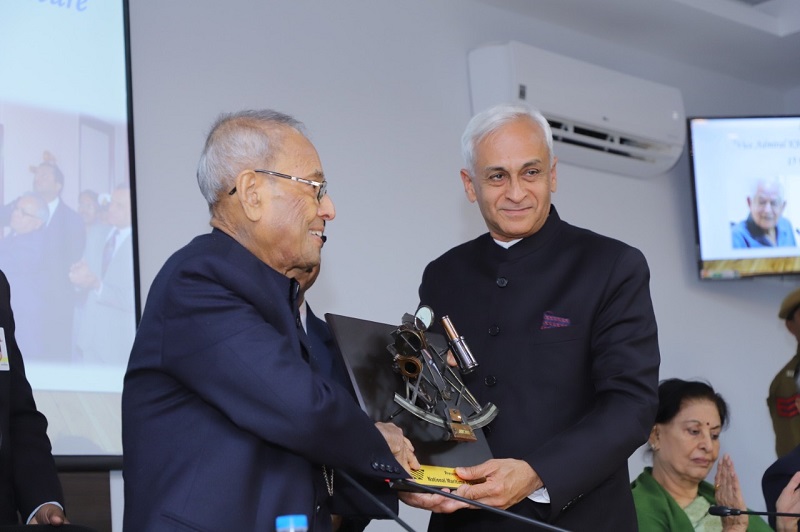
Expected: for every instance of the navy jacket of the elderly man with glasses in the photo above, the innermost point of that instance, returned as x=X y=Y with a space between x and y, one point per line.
x=225 y=424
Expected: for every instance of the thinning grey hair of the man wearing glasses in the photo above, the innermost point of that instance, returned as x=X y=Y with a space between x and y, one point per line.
x=246 y=139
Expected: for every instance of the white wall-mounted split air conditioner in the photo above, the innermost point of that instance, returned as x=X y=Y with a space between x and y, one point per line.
x=601 y=118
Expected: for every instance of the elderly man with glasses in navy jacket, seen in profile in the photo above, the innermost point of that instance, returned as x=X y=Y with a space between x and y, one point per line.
x=226 y=420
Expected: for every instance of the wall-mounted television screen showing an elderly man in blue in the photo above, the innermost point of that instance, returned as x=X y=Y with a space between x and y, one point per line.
x=746 y=177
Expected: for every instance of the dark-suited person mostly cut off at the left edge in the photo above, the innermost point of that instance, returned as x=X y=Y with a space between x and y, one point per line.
x=29 y=484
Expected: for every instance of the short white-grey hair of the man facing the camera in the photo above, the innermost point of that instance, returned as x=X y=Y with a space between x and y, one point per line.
x=492 y=119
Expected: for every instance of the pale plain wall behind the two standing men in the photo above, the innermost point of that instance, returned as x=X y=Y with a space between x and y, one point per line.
x=382 y=87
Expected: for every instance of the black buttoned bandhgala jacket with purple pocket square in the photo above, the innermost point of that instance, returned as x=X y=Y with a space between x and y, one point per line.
x=564 y=331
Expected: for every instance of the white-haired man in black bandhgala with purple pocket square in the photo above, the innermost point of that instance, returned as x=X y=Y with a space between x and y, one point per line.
x=561 y=321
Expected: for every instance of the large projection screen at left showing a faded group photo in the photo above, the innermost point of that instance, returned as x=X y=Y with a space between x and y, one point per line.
x=67 y=243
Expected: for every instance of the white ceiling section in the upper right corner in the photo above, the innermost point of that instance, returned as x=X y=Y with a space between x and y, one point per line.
x=754 y=40
